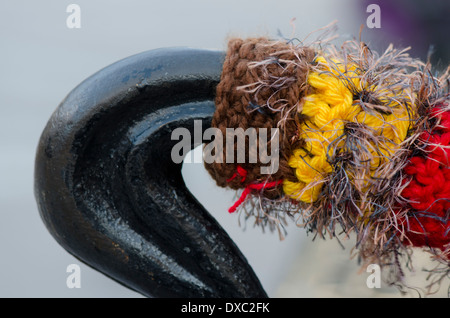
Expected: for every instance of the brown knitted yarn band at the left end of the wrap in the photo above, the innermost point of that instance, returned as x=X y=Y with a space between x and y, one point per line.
x=261 y=85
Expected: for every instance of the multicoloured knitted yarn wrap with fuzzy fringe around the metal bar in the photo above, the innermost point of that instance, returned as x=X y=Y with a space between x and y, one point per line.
x=364 y=143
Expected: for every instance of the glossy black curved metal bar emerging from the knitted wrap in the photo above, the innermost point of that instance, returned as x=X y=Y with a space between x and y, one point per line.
x=109 y=193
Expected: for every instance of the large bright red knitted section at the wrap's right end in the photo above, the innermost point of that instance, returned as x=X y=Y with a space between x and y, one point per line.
x=429 y=188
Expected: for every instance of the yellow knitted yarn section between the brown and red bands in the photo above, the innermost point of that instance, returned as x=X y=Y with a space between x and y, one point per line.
x=329 y=108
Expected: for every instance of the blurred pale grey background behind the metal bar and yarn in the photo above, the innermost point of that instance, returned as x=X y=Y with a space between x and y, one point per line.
x=41 y=60
